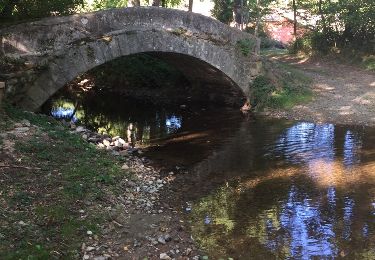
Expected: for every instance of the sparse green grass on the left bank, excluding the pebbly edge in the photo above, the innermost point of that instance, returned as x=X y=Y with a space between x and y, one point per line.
x=67 y=174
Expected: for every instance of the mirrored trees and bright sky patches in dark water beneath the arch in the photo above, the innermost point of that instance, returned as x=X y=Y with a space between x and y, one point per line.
x=111 y=114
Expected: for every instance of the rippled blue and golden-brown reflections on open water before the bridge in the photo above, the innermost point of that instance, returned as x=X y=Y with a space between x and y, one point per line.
x=309 y=193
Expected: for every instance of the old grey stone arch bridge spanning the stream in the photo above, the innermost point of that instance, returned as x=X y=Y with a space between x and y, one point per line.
x=53 y=51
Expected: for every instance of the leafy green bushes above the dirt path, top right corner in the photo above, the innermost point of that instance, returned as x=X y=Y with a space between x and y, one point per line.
x=342 y=24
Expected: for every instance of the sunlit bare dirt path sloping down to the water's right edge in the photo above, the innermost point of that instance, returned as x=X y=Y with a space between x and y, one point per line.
x=342 y=94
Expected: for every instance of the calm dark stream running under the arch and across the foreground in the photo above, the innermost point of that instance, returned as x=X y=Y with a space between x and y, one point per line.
x=255 y=188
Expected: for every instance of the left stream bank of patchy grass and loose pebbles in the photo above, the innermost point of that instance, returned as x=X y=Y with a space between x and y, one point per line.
x=62 y=197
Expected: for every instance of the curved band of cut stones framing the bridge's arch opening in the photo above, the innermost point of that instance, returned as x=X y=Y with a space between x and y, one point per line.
x=201 y=61
